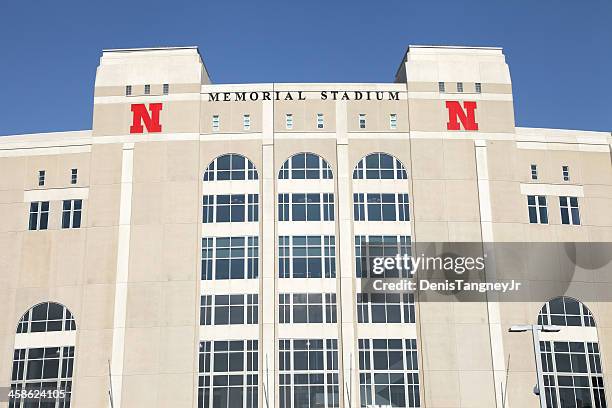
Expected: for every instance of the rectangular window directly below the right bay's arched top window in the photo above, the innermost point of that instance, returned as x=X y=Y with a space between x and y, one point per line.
x=381 y=207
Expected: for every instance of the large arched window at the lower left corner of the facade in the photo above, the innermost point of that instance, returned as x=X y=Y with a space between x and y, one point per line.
x=43 y=367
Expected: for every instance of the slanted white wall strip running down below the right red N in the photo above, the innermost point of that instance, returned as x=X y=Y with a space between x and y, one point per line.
x=486 y=227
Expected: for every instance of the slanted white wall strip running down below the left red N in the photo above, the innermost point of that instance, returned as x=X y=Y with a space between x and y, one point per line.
x=121 y=277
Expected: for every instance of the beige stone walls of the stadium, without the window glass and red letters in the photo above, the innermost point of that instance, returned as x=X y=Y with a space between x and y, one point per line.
x=131 y=274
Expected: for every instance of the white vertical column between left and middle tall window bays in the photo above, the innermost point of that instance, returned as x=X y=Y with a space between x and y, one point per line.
x=268 y=270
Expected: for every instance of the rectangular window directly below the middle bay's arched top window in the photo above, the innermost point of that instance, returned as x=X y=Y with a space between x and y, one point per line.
x=306 y=207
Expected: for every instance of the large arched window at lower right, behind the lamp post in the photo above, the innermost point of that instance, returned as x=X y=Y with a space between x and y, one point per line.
x=571 y=365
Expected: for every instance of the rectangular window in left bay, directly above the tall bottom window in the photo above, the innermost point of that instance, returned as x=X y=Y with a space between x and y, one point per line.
x=219 y=310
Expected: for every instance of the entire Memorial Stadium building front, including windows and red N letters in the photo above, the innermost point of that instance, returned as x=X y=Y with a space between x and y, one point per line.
x=200 y=246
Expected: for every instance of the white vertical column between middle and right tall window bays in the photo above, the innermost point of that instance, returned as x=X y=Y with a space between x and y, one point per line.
x=348 y=353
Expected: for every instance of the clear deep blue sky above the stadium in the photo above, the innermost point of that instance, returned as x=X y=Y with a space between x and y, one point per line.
x=559 y=52
